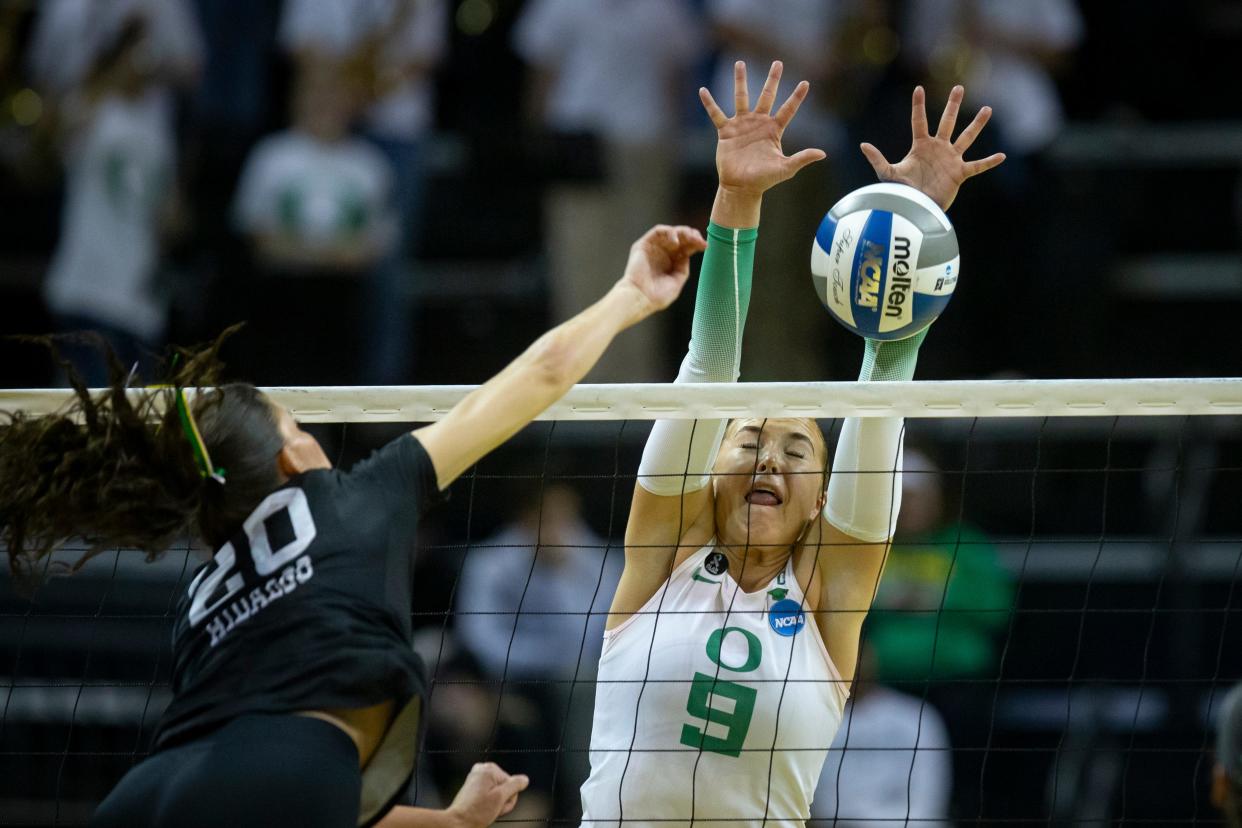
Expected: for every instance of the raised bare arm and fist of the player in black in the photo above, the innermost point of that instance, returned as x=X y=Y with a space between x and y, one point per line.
x=655 y=275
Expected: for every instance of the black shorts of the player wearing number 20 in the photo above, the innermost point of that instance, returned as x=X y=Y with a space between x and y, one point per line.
x=258 y=770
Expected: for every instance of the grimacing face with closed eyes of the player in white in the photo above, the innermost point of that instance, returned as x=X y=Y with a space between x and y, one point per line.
x=769 y=481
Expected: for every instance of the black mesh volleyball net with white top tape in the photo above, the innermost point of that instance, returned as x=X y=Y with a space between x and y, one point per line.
x=1050 y=642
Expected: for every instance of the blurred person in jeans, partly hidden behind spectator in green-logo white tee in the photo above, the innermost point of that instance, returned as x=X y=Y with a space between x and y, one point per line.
x=392 y=49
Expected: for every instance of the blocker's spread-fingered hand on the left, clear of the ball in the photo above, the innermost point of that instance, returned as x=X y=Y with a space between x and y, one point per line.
x=750 y=160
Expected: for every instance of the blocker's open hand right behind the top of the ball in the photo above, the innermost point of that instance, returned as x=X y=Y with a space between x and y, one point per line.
x=936 y=164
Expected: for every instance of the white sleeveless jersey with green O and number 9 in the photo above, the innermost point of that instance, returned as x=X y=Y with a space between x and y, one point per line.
x=714 y=706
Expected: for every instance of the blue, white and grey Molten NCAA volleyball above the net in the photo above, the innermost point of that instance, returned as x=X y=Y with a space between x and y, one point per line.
x=885 y=261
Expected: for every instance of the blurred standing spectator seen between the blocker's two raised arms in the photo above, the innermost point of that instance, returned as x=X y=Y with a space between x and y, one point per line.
x=813 y=39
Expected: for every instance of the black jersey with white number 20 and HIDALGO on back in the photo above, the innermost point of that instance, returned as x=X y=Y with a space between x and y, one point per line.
x=309 y=608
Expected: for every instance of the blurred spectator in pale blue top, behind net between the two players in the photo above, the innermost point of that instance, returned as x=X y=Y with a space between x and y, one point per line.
x=531 y=610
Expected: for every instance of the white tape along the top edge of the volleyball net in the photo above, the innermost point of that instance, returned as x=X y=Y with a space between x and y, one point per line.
x=691 y=402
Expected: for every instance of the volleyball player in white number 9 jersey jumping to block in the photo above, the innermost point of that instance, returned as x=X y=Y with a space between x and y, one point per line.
x=735 y=631
